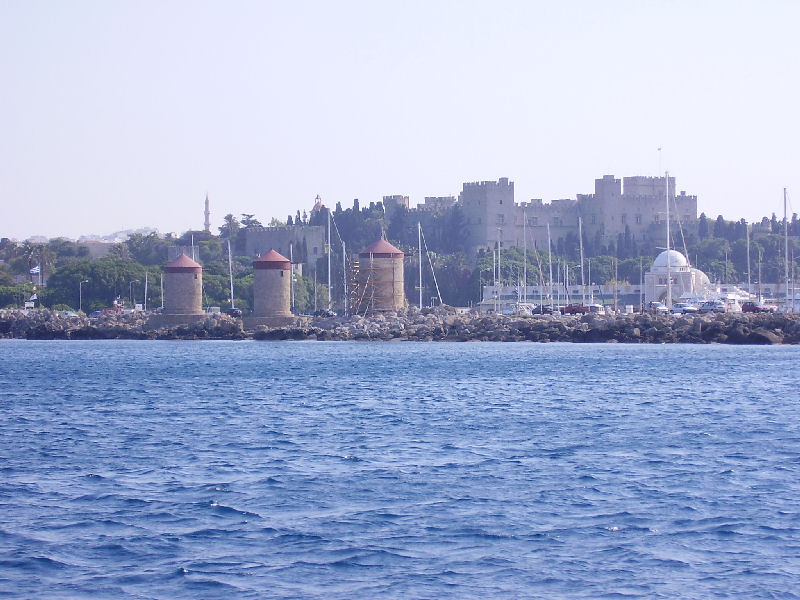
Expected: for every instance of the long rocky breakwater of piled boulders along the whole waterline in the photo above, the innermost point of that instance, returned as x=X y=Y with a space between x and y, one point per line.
x=439 y=324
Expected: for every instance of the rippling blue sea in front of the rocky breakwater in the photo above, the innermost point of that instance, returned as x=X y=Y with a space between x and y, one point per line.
x=398 y=470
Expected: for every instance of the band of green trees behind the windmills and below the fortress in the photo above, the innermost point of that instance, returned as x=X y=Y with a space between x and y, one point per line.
x=717 y=247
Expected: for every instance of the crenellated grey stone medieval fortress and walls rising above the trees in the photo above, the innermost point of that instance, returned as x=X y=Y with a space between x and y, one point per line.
x=492 y=217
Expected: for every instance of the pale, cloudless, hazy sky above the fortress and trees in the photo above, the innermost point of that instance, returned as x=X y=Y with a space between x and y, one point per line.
x=121 y=115
